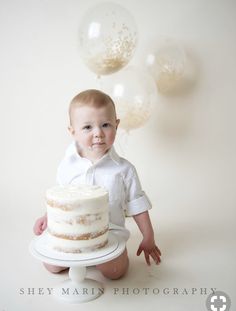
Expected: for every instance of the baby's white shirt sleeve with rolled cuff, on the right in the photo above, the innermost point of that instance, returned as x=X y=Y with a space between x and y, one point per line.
x=136 y=200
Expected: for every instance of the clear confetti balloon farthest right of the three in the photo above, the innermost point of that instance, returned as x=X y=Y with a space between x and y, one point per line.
x=166 y=63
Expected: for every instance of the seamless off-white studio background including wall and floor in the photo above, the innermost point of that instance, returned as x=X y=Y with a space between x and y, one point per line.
x=185 y=154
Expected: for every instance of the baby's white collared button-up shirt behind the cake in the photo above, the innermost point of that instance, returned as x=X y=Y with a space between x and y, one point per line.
x=114 y=173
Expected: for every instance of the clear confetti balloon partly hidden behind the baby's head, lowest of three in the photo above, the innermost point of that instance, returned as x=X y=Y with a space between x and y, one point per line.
x=134 y=93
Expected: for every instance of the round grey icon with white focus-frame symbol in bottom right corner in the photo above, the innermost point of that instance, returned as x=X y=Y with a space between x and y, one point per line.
x=218 y=301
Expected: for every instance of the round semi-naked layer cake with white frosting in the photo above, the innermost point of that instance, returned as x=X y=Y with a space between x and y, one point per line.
x=78 y=218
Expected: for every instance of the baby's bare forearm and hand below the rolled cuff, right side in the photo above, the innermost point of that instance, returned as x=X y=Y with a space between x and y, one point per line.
x=147 y=245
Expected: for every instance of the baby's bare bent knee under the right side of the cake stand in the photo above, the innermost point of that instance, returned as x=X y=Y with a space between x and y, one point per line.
x=115 y=268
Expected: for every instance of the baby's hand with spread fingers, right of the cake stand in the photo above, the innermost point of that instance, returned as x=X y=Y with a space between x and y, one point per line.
x=149 y=248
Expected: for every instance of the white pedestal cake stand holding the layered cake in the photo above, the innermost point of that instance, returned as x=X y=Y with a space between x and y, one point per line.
x=78 y=288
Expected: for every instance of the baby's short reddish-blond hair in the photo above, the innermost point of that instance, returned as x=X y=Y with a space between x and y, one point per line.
x=91 y=97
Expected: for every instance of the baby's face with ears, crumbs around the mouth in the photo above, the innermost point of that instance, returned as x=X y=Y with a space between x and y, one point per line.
x=94 y=129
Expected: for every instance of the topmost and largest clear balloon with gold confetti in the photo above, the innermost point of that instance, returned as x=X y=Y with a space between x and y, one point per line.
x=107 y=38
